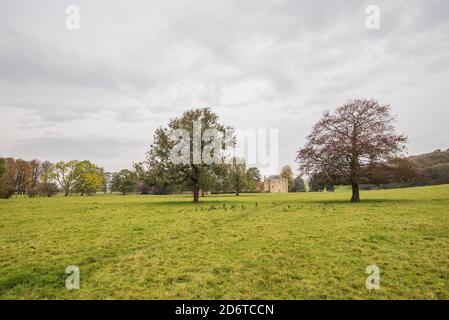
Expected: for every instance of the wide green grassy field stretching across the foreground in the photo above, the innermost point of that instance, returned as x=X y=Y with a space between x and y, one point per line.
x=261 y=246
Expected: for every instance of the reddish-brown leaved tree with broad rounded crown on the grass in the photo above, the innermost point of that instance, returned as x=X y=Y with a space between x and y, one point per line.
x=347 y=145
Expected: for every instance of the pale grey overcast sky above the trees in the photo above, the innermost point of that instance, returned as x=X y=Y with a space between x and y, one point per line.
x=99 y=92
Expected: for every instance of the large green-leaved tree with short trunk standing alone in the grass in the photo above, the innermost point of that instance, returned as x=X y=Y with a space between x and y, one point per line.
x=179 y=150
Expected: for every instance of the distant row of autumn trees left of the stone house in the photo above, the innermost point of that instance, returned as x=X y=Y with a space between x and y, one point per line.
x=43 y=178
